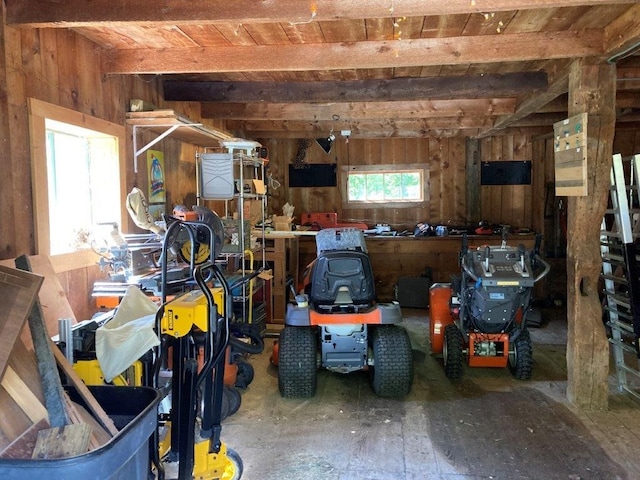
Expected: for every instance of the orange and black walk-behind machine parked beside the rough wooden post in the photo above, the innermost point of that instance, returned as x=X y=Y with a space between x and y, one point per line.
x=481 y=317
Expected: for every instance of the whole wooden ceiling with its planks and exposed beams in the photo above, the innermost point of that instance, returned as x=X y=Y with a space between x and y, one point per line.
x=392 y=68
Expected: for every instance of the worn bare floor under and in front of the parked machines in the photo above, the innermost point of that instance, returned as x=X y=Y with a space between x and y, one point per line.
x=485 y=426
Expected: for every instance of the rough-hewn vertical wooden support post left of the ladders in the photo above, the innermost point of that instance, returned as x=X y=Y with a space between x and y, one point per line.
x=592 y=90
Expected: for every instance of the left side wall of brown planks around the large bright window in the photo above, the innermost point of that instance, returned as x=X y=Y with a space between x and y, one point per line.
x=62 y=68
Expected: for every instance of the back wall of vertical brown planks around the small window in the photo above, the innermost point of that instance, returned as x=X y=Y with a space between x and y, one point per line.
x=445 y=158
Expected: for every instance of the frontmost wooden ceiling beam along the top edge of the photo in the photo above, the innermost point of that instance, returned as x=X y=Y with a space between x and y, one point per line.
x=103 y=13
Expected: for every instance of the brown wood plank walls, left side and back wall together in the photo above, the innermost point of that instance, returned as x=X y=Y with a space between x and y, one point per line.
x=60 y=67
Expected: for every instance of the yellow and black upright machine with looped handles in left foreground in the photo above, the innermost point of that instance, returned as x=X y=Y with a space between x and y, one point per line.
x=194 y=330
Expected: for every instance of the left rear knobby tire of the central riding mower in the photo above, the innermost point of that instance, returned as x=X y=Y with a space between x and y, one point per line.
x=297 y=362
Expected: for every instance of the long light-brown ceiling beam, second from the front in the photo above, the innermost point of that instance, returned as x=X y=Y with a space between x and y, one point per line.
x=420 y=52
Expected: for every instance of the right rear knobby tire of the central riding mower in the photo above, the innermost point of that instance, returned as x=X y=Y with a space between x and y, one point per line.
x=392 y=372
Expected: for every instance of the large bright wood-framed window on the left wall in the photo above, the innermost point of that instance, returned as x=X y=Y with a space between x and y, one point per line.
x=76 y=175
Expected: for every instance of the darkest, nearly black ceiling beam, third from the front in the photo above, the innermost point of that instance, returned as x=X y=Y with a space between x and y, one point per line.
x=400 y=89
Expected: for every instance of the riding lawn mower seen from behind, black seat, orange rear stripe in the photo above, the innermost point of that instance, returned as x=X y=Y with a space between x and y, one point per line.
x=336 y=323
